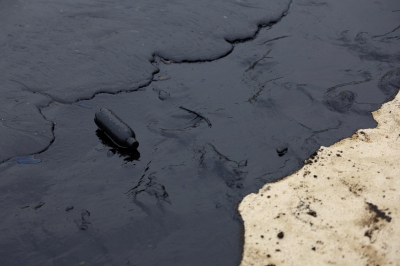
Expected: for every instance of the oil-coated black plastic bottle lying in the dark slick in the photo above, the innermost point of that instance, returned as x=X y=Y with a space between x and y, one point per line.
x=116 y=129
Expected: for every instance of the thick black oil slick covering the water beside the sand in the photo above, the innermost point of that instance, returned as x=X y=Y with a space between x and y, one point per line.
x=256 y=102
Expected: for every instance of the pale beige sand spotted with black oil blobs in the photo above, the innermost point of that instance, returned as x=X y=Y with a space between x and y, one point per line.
x=341 y=208
